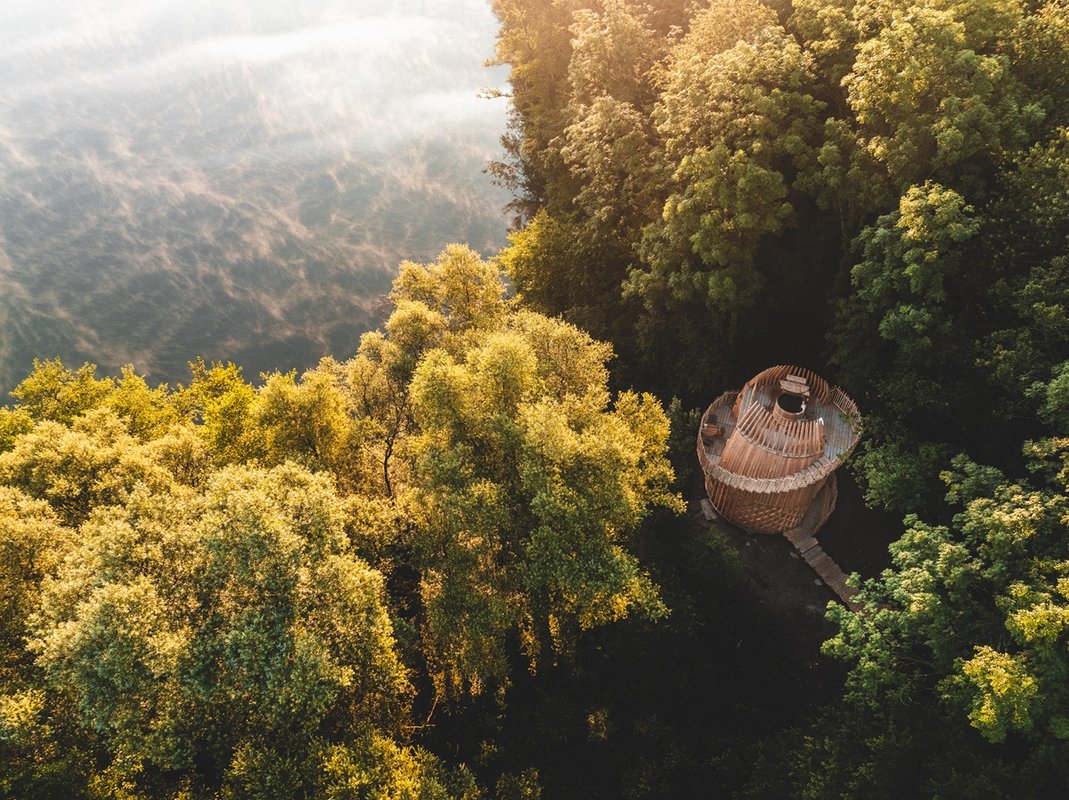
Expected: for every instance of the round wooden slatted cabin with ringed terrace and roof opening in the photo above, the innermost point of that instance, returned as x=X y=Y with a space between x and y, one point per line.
x=770 y=452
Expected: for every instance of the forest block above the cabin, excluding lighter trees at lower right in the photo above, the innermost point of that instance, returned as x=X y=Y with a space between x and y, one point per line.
x=869 y=188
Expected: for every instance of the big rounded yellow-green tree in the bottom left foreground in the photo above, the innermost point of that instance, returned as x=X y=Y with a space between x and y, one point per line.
x=227 y=639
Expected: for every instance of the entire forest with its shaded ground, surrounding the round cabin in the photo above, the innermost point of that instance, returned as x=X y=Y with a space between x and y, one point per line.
x=459 y=564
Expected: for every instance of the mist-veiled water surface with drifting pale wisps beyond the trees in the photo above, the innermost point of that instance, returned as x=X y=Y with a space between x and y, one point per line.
x=233 y=180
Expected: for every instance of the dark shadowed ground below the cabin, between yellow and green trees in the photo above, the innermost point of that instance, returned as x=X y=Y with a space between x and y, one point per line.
x=683 y=706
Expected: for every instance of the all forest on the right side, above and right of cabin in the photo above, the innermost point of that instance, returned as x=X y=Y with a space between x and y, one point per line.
x=877 y=190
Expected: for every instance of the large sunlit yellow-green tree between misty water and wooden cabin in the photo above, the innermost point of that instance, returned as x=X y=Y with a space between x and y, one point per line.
x=520 y=479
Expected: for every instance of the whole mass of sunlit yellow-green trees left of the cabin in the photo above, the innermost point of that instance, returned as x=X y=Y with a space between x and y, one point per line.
x=189 y=613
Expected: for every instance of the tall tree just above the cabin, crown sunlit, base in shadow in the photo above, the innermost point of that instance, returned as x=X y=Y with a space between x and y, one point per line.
x=741 y=128
